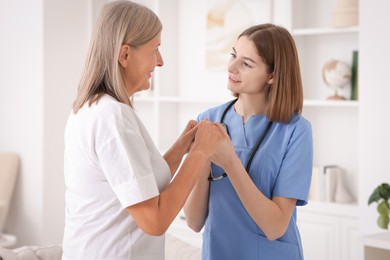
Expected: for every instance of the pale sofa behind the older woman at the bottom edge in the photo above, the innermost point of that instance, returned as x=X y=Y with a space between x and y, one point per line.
x=175 y=249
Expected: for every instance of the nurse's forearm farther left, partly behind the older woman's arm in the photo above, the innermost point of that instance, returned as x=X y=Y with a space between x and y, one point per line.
x=196 y=206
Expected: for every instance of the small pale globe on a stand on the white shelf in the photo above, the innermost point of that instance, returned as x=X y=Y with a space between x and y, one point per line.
x=336 y=74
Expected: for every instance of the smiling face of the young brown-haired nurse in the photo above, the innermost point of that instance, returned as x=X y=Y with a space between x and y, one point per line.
x=247 y=71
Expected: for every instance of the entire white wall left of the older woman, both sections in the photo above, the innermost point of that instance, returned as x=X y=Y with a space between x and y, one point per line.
x=42 y=50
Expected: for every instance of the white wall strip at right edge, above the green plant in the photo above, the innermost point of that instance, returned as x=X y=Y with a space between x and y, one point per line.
x=374 y=93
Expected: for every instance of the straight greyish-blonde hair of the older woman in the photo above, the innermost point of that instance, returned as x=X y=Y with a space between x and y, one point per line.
x=120 y=22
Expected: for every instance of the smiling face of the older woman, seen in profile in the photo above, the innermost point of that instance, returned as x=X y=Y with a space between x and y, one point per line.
x=139 y=63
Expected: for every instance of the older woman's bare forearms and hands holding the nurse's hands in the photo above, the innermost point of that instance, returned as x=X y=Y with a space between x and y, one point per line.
x=155 y=215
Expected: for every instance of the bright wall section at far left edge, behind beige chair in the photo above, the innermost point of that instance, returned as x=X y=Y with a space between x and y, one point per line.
x=21 y=108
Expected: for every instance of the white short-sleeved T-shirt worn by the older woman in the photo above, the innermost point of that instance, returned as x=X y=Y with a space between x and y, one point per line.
x=110 y=163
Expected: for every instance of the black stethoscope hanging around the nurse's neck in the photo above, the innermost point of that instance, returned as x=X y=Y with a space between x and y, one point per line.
x=254 y=150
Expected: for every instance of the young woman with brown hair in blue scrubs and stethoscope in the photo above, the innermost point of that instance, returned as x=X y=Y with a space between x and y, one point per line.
x=247 y=201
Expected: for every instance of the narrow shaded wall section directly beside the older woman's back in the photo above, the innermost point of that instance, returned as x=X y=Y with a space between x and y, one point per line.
x=65 y=46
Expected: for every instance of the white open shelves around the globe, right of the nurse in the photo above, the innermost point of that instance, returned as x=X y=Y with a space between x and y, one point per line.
x=334 y=122
